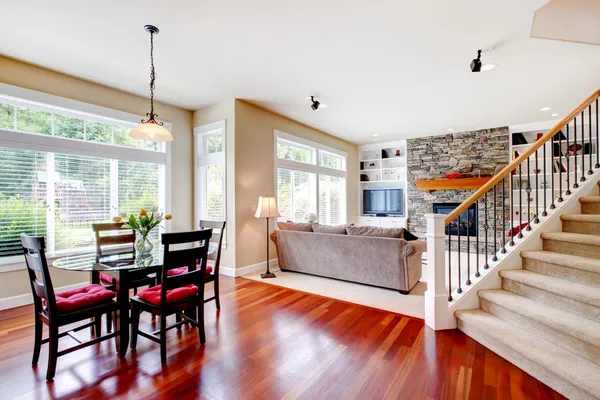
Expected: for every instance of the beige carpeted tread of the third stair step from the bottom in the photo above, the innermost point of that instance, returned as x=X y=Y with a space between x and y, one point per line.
x=562 y=287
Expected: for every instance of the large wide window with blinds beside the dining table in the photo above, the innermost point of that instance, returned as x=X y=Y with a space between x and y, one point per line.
x=62 y=170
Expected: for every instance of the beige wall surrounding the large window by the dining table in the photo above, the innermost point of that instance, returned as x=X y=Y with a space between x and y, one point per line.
x=17 y=73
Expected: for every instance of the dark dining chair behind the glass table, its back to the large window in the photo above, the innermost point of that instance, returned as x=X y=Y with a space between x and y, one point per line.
x=113 y=239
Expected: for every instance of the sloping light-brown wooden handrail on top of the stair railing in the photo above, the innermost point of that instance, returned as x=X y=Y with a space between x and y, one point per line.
x=489 y=185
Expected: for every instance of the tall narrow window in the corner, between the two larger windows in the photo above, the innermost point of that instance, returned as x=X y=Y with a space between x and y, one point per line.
x=210 y=171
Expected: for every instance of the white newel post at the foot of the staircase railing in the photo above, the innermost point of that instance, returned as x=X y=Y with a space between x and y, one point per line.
x=436 y=297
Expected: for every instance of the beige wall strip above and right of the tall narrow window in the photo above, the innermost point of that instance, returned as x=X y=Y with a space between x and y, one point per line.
x=219 y=112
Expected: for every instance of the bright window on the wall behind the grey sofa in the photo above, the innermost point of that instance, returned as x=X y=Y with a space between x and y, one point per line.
x=310 y=179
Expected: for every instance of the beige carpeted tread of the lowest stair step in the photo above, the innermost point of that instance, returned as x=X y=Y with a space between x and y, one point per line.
x=577 y=371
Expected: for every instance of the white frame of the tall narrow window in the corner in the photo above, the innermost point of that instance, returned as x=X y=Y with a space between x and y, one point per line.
x=202 y=160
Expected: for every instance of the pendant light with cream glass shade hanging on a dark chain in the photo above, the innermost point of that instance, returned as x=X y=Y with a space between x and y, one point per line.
x=151 y=129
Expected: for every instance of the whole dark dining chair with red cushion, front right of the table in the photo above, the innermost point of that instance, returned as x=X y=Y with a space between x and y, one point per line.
x=181 y=294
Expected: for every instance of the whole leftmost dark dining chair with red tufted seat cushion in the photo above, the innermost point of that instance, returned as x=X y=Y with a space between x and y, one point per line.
x=59 y=309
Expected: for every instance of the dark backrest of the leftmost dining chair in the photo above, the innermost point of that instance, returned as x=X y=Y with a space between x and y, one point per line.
x=35 y=260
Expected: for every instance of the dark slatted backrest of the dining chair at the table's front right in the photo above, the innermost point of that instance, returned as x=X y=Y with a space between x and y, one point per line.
x=194 y=258
